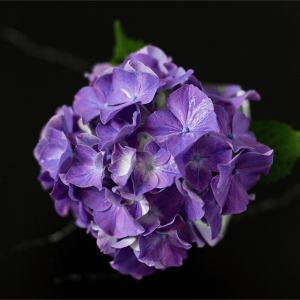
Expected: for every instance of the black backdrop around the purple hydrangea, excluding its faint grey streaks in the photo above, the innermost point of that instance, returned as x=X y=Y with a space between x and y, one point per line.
x=252 y=44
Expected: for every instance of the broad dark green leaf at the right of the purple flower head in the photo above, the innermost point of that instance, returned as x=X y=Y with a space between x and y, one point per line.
x=284 y=141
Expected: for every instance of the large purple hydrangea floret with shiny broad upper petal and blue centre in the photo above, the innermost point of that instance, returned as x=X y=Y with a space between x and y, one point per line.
x=190 y=116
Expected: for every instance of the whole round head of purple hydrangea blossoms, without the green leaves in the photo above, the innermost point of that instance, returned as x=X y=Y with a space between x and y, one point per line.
x=146 y=183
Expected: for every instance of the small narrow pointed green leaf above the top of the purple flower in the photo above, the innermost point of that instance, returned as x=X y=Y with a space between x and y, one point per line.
x=123 y=45
